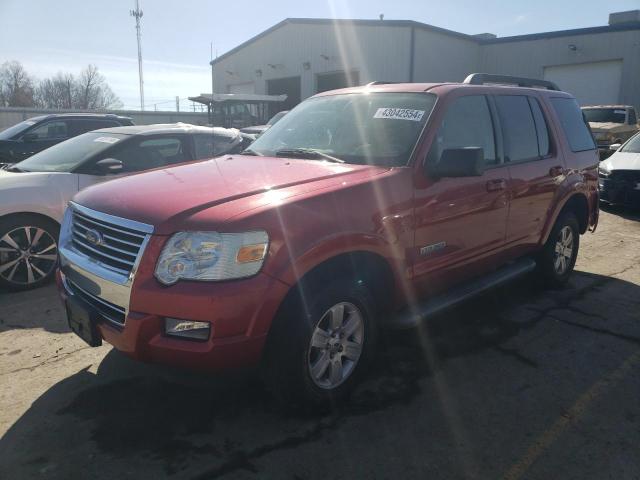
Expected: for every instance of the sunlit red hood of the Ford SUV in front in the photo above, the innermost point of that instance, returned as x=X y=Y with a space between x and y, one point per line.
x=224 y=186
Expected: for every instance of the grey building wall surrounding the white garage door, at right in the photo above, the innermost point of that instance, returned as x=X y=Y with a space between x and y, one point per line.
x=529 y=57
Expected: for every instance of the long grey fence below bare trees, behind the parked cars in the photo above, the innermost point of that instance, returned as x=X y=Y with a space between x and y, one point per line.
x=11 y=115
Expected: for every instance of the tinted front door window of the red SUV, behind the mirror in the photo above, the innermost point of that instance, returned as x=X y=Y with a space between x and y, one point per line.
x=467 y=123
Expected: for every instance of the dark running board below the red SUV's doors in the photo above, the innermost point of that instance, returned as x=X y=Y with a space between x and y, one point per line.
x=410 y=319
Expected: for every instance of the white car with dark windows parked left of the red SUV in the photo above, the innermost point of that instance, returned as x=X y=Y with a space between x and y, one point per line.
x=34 y=193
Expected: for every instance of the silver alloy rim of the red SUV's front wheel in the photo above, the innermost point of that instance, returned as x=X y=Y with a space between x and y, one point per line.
x=336 y=345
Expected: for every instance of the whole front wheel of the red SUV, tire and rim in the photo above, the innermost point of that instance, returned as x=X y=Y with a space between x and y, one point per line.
x=316 y=355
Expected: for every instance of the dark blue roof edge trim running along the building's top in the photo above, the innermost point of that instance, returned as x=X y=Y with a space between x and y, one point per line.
x=480 y=39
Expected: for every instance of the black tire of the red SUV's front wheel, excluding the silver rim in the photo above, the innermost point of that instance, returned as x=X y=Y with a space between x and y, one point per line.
x=289 y=353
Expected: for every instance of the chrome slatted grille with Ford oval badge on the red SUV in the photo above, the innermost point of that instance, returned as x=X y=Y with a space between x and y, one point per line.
x=118 y=247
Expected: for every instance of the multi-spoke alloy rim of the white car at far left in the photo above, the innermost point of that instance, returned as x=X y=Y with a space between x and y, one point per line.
x=27 y=255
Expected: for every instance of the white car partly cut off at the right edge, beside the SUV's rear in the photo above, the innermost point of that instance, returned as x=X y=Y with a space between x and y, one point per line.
x=619 y=175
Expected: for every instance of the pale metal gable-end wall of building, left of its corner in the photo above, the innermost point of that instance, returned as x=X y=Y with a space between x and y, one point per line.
x=376 y=52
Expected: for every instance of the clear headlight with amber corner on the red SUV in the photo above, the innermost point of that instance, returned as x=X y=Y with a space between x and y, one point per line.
x=211 y=256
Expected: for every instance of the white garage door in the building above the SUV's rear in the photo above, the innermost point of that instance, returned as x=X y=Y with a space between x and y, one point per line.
x=591 y=83
